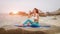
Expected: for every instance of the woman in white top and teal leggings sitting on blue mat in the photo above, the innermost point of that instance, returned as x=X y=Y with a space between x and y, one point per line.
x=35 y=15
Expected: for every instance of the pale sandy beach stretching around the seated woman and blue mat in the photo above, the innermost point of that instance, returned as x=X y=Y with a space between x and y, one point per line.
x=8 y=21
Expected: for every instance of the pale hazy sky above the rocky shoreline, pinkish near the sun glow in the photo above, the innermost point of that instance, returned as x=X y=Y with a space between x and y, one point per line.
x=7 y=6
